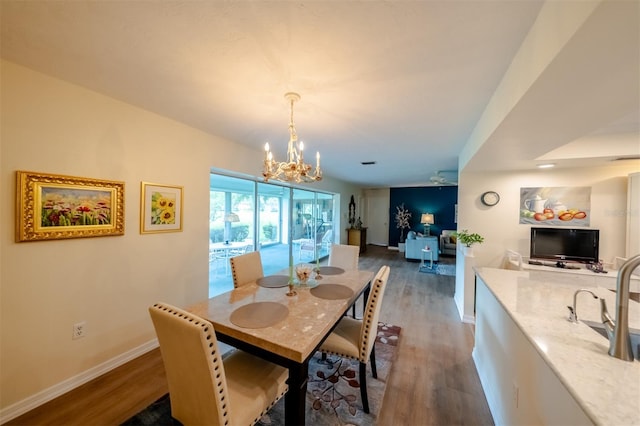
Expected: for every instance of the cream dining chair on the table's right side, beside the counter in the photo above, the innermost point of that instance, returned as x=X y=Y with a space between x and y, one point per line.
x=355 y=339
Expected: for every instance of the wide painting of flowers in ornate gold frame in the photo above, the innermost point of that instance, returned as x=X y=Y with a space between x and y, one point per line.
x=53 y=207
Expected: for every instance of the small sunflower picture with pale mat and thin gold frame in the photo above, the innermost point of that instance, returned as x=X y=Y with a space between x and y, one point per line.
x=160 y=208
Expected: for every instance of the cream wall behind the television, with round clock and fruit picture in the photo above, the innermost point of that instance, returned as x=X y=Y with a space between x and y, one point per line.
x=500 y=224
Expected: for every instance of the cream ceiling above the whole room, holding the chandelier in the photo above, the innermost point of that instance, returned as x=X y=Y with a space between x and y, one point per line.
x=399 y=83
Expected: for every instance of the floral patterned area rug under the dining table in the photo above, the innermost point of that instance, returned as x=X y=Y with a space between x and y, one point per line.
x=333 y=391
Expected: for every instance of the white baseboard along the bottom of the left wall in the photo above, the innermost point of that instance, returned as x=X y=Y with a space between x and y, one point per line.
x=46 y=395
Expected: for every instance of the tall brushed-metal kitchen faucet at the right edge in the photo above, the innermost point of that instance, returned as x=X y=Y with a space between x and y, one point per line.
x=618 y=330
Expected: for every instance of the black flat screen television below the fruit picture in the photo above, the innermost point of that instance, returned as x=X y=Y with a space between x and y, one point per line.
x=565 y=245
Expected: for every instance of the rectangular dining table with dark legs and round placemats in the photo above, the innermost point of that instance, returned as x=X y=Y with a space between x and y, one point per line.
x=260 y=318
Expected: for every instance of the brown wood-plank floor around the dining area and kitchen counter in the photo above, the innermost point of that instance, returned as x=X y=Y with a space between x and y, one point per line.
x=432 y=382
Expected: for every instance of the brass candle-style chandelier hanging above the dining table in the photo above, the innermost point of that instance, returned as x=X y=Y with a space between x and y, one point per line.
x=294 y=169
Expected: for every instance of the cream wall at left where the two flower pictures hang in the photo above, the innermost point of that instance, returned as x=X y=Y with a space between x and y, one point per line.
x=51 y=126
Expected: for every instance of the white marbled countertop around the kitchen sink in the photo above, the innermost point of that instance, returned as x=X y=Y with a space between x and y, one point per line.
x=607 y=388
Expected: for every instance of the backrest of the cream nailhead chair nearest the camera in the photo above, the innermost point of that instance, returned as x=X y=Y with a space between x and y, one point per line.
x=195 y=372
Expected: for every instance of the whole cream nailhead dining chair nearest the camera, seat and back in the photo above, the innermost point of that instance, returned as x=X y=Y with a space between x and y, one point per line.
x=204 y=388
